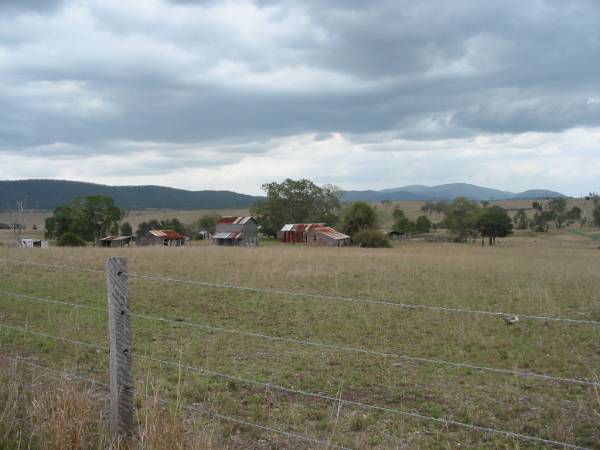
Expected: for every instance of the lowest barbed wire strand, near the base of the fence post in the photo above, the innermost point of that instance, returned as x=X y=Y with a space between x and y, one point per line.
x=210 y=413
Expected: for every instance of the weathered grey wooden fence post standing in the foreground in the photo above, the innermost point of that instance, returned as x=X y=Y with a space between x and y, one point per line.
x=120 y=348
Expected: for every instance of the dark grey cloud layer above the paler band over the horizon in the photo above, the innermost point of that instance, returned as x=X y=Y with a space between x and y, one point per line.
x=78 y=76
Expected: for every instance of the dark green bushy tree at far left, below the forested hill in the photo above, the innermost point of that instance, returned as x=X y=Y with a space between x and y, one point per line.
x=90 y=218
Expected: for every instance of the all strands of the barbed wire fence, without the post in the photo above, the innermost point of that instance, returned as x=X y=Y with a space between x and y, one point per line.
x=333 y=347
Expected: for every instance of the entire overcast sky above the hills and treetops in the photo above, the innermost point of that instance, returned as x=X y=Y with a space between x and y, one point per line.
x=361 y=94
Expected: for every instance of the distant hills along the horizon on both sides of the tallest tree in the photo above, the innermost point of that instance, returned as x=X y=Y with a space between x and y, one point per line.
x=48 y=194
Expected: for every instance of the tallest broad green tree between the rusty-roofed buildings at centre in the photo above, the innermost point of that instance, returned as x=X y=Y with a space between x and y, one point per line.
x=296 y=201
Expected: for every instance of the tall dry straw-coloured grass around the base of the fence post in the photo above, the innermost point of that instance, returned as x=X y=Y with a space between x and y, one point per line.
x=46 y=411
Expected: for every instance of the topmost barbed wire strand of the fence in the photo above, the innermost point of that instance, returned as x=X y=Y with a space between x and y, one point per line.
x=322 y=296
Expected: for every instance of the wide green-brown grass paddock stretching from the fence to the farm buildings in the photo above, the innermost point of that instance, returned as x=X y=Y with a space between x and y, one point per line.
x=551 y=275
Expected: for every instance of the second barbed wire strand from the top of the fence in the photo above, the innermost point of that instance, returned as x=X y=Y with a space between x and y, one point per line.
x=418 y=359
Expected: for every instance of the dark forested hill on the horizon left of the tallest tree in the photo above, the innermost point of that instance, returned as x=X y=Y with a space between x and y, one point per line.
x=48 y=194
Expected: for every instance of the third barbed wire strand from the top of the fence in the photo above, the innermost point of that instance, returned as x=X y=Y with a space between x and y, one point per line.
x=304 y=393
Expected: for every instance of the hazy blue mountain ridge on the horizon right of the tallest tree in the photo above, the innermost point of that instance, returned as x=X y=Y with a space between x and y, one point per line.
x=446 y=192
